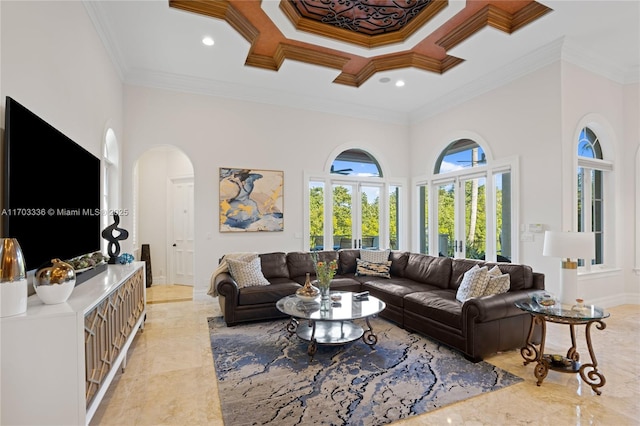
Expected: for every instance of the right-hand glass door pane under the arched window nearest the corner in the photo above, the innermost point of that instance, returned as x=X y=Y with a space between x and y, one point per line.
x=475 y=219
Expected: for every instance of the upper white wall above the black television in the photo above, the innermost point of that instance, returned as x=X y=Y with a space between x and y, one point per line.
x=54 y=64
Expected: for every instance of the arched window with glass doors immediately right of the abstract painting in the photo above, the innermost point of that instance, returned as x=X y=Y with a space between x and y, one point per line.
x=353 y=206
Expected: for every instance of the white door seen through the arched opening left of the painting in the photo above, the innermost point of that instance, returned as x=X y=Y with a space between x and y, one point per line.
x=181 y=231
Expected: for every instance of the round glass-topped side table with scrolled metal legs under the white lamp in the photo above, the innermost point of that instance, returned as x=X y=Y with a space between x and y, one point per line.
x=586 y=315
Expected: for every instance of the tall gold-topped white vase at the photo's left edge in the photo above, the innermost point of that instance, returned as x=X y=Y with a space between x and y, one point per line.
x=13 y=279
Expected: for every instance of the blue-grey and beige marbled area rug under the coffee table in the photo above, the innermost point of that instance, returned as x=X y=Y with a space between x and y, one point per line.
x=265 y=377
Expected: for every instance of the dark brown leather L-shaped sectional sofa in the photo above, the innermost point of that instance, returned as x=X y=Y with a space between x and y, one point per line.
x=420 y=296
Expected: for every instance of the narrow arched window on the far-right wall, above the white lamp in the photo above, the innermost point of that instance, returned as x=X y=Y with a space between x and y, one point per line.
x=591 y=190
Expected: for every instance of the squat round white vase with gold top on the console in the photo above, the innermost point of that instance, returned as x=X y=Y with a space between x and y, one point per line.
x=54 y=283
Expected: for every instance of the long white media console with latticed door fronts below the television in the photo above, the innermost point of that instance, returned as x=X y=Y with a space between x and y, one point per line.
x=57 y=361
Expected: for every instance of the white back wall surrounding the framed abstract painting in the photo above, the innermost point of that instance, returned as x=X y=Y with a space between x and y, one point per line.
x=216 y=133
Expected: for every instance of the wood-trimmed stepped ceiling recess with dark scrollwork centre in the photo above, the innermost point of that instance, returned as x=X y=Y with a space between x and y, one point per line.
x=270 y=48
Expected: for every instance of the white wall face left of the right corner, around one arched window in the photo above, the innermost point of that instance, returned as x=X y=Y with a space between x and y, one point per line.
x=519 y=119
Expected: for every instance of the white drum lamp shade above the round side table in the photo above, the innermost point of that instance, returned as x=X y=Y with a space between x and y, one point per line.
x=569 y=245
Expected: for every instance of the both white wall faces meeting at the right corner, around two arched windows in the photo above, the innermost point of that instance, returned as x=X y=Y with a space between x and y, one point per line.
x=535 y=118
